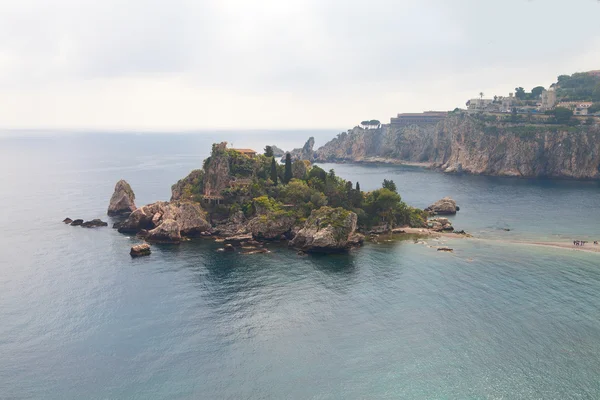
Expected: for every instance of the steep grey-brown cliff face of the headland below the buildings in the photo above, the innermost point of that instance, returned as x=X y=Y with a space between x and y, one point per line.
x=462 y=144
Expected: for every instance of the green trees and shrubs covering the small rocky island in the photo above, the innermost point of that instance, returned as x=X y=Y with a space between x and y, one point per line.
x=261 y=185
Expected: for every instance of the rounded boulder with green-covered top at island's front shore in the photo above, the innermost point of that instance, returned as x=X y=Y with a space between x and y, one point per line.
x=327 y=230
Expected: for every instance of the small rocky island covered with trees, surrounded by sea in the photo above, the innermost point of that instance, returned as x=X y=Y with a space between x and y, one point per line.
x=244 y=199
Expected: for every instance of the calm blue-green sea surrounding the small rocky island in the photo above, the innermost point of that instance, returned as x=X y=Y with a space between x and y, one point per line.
x=498 y=318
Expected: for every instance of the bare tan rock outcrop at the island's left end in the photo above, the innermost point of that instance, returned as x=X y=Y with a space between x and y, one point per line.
x=189 y=217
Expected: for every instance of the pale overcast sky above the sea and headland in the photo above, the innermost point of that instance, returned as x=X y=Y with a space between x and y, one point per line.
x=276 y=64
